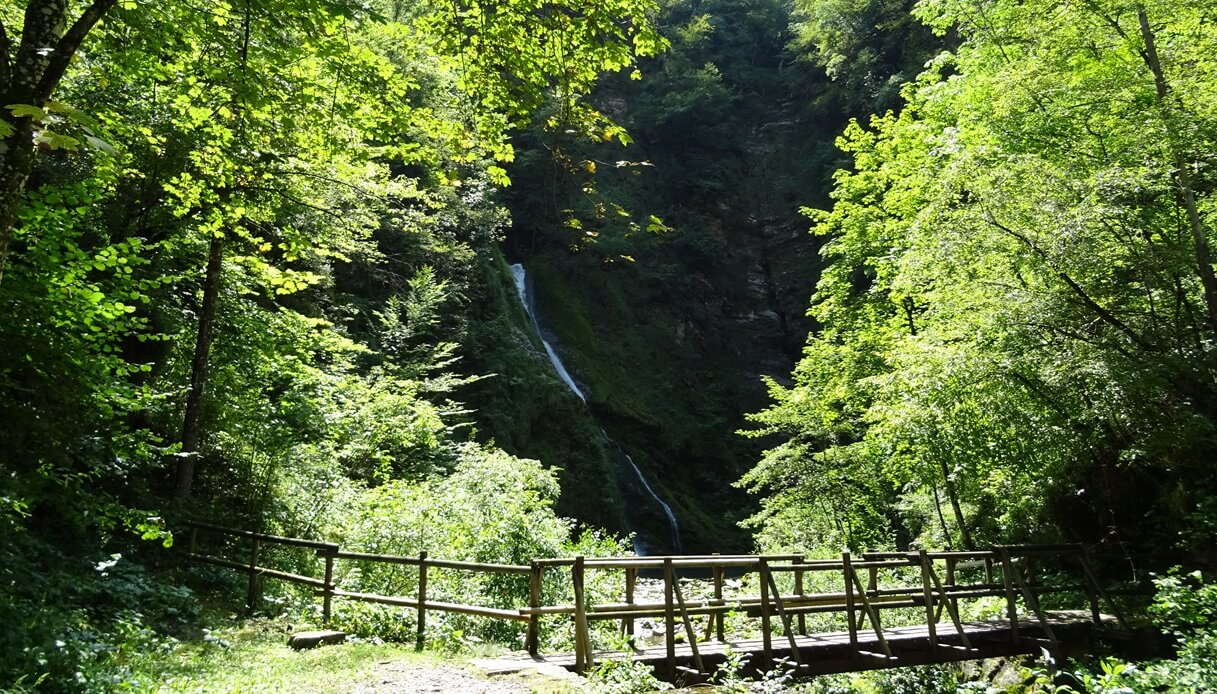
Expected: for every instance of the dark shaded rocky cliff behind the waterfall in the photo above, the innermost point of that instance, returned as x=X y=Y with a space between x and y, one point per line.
x=675 y=275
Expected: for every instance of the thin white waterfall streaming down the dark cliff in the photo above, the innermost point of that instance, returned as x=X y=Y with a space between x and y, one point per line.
x=629 y=491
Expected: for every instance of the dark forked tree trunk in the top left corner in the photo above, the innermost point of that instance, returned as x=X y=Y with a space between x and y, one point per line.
x=30 y=77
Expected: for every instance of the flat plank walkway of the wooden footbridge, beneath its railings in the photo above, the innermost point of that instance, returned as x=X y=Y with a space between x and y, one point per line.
x=831 y=653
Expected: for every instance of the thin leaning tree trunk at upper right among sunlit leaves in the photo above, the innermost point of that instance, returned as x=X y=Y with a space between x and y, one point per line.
x=1182 y=178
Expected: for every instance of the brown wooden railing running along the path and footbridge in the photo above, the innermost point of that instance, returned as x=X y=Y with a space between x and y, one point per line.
x=870 y=585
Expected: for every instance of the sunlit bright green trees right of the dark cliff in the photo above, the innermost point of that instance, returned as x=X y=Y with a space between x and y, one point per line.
x=1017 y=324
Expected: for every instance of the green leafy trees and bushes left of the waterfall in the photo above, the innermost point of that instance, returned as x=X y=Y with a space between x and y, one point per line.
x=244 y=243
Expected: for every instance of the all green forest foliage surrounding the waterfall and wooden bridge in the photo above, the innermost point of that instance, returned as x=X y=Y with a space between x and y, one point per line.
x=250 y=270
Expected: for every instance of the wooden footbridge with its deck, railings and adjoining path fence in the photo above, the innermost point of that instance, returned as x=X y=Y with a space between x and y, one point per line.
x=889 y=609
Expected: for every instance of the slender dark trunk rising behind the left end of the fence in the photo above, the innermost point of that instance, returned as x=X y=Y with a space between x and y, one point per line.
x=192 y=429
